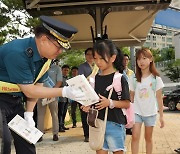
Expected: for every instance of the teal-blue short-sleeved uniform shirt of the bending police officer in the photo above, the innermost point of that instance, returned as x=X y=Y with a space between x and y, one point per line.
x=20 y=62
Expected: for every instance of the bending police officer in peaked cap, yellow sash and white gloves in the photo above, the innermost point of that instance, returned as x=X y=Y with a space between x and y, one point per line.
x=21 y=77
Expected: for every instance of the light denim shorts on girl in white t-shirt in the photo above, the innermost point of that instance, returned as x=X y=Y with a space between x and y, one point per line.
x=148 y=121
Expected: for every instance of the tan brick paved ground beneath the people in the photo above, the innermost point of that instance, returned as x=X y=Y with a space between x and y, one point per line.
x=71 y=142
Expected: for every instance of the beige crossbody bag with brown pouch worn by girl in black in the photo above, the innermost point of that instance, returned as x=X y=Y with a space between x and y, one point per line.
x=97 y=127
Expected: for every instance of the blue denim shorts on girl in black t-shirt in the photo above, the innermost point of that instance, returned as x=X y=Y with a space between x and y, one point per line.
x=114 y=137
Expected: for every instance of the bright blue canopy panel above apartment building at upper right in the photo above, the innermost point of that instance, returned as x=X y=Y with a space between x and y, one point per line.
x=169 y=18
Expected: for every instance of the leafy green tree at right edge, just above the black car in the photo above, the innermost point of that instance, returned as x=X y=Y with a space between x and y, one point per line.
x=173 y=71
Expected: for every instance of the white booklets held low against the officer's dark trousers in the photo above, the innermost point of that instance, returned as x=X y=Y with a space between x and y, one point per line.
x=23 y=129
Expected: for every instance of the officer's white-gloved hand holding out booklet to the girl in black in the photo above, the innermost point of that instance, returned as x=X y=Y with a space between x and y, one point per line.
x=70 y=93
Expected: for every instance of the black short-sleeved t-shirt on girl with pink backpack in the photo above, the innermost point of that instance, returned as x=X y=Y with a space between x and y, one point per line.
x=101 y=83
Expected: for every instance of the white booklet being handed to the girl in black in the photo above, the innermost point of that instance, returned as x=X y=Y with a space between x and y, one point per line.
x=81 y=85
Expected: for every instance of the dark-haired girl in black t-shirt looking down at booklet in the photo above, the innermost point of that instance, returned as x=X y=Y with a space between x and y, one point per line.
x=109 y=60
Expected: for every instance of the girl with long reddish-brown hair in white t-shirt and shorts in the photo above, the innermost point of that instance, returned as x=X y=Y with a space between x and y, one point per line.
x=146 y=93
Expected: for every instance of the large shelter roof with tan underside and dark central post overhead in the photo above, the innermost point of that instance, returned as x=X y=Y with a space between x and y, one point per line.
x=126 y=22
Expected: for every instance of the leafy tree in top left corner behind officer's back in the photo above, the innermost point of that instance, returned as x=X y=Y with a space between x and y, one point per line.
x=13 y=17
